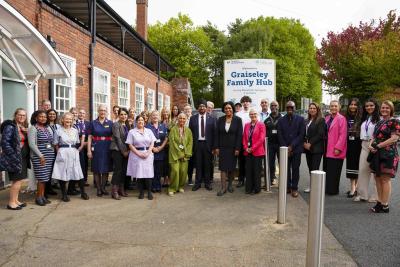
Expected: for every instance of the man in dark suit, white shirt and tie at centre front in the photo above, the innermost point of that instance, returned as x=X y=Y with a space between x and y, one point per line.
x=203 y=127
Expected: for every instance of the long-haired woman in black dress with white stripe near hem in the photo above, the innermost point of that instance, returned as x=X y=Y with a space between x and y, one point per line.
x=353 y=117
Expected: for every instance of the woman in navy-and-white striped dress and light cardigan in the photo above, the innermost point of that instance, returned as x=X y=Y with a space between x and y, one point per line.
x=40 y=139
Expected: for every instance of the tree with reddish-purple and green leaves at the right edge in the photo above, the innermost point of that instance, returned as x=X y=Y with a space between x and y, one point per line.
x=362 y=61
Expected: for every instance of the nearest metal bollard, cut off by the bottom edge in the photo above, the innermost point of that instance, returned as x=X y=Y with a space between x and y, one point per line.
x=315 y=218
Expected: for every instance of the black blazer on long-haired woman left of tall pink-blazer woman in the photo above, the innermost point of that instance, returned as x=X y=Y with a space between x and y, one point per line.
x=315 y=135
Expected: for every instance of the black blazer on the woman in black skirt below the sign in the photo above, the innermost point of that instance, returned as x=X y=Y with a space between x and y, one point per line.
x=232 y=138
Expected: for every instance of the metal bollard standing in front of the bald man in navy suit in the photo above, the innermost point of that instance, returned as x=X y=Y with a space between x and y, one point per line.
x=283 y=165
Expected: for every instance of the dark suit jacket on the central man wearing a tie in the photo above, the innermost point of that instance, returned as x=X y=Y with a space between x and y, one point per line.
x=209 y=134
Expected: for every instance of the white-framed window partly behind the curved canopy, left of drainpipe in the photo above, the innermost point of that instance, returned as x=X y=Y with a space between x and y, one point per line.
x=64 y=88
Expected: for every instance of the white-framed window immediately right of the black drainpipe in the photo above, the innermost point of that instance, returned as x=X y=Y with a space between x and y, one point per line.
x=101 y=90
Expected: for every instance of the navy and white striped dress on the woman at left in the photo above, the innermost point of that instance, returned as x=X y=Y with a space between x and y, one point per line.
x=44 y=139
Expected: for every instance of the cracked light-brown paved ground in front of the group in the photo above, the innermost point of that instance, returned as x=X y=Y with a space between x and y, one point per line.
x=190 y=229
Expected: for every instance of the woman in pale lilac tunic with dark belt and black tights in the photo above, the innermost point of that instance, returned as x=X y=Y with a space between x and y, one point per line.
x=140 y=163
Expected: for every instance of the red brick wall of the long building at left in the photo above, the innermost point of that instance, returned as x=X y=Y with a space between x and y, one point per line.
x=74 y=42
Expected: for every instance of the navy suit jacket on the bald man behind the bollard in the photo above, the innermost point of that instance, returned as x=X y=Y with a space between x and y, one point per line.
x=291 y=132
